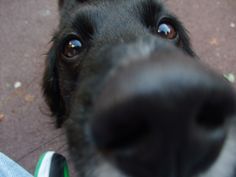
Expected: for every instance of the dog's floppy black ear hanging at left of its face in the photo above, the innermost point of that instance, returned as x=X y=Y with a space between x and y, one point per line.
x=51 y=89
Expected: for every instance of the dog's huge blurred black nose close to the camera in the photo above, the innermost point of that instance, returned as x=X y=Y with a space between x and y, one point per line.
x=165 y=115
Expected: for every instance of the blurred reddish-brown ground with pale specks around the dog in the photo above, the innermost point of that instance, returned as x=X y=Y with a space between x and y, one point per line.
x=26 y=28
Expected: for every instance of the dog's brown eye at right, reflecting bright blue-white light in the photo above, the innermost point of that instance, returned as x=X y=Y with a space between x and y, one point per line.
x=166 y=30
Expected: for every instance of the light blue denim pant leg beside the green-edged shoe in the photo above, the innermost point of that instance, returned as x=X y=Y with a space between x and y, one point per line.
x=9 y=168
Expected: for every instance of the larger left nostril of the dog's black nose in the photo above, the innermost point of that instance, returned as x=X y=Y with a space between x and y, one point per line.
x=120 y=126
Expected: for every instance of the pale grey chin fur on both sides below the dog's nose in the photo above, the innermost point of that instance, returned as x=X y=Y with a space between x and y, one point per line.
x=224 y=166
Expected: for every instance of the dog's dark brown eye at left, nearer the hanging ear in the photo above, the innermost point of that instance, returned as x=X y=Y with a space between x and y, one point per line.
x=72 y=47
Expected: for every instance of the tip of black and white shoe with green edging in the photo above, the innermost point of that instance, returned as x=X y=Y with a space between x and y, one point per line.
x=51 y=164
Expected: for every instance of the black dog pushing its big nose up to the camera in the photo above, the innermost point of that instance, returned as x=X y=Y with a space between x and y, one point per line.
x=135 y=100
